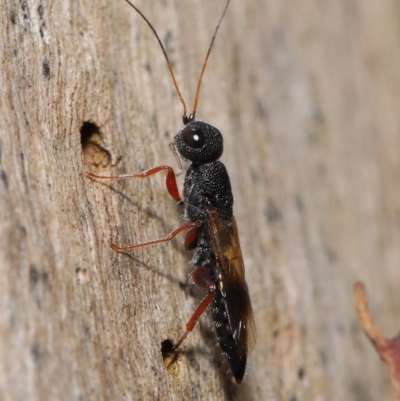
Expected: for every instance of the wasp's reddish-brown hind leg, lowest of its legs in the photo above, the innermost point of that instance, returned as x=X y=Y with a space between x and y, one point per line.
x=202 y=277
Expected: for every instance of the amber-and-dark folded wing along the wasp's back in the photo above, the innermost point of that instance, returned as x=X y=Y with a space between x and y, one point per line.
x=232 y=283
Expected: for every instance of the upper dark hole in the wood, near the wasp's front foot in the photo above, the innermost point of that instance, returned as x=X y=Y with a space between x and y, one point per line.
x=94 y=154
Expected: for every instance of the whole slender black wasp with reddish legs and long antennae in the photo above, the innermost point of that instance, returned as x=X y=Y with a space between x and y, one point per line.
x=211 y=229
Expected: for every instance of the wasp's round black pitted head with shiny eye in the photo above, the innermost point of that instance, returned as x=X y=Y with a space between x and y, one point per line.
x=199 y=142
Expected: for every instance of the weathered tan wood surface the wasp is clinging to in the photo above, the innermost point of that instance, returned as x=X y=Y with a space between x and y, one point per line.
x=307 y=95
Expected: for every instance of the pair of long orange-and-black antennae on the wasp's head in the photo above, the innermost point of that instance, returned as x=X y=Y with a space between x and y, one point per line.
x=192 y=116
